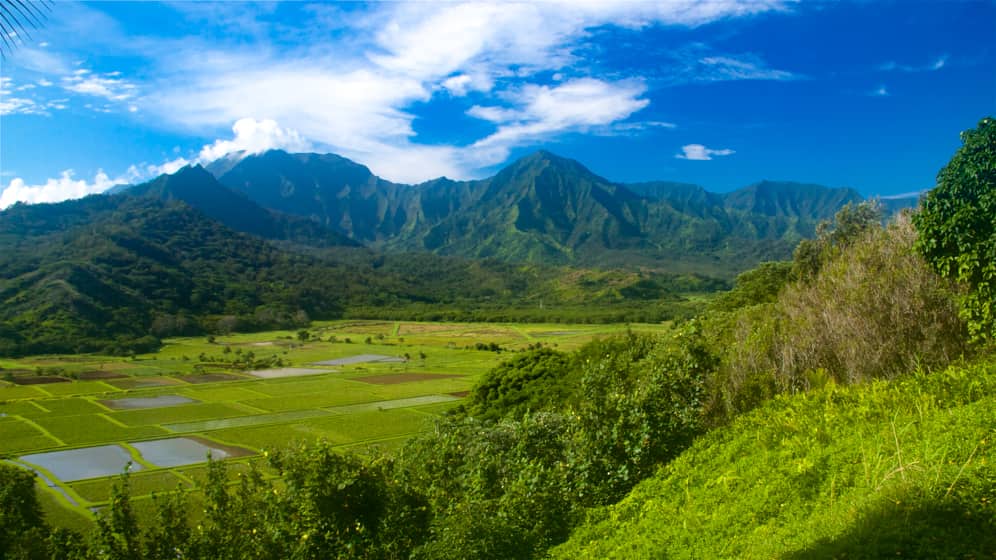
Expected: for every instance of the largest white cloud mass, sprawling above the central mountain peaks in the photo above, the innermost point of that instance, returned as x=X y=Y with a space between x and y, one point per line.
x=360 y=106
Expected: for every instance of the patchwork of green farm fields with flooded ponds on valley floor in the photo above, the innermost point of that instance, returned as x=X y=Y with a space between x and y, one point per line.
x=239 y=395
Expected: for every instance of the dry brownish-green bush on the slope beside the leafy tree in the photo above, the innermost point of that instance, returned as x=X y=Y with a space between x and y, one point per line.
x=876 y=310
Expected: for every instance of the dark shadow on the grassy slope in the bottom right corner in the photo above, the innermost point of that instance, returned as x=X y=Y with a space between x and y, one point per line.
x=937 y=530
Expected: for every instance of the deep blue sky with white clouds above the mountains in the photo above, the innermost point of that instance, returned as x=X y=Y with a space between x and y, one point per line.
x=722 y=93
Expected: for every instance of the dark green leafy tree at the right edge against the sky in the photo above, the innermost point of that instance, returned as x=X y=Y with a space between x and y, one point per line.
x=957 y=226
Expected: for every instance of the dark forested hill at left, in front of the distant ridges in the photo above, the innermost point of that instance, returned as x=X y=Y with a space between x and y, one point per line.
x=116 y=272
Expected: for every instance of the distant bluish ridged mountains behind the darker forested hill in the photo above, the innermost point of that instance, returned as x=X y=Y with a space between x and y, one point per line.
x=541 y=208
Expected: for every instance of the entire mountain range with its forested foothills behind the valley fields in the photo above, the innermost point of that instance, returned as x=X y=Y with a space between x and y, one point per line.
x=269 y=240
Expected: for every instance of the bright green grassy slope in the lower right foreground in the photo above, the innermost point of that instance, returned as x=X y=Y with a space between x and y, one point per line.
x=900 y=469
